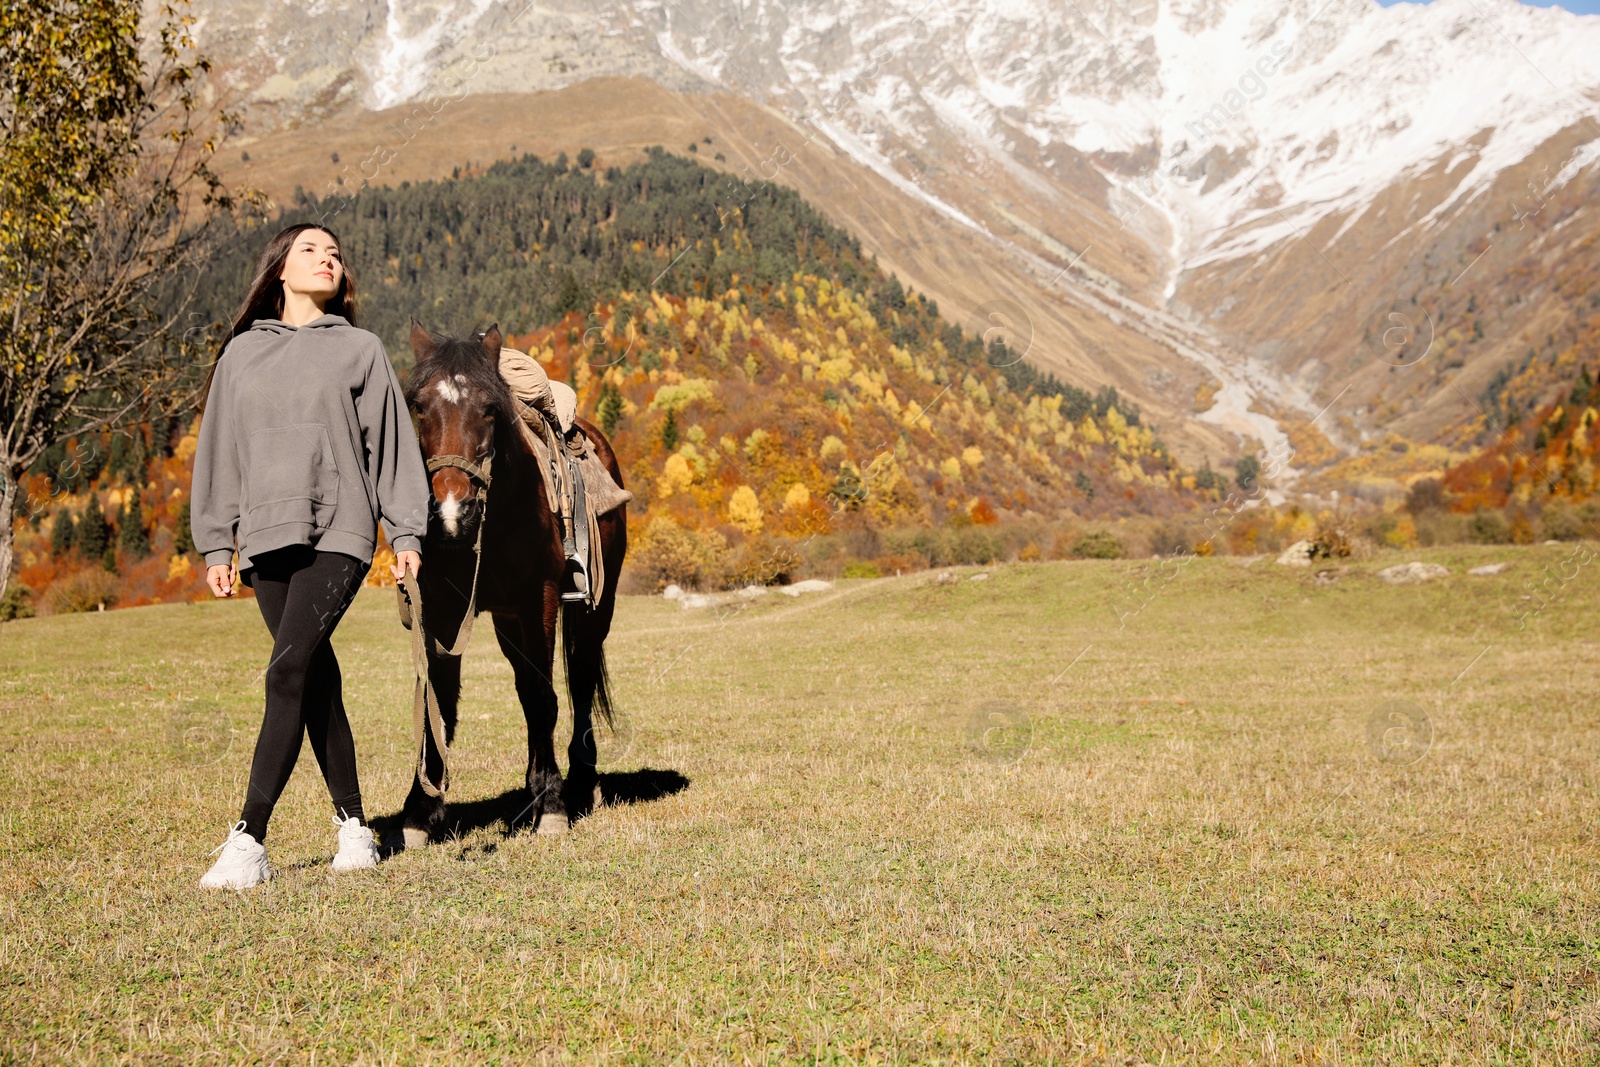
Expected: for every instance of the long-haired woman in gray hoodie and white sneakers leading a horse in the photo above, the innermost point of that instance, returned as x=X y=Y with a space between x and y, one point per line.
x=305 y=442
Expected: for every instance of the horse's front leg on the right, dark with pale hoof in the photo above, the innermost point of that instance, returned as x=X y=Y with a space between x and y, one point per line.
x=529 y=642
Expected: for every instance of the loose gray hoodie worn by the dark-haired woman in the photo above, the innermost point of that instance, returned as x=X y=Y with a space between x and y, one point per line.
x=306 y=439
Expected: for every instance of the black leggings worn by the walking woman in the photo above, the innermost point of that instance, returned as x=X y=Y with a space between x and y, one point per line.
x=303 y=596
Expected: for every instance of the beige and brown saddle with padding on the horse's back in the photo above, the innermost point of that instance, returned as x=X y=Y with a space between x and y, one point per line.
x=578 y=486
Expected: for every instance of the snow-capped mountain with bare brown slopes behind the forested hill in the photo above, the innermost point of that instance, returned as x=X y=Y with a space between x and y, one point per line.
x=1218 y=207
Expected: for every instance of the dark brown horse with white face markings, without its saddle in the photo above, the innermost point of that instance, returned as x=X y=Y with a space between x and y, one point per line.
x=494 y=481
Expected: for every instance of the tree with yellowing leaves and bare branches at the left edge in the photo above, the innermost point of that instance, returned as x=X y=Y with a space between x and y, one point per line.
x=108 y=212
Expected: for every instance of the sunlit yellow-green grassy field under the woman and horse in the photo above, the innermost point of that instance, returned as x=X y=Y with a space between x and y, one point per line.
x=1271 y=818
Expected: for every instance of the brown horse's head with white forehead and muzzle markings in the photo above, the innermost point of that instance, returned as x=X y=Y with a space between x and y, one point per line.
x=458 y=396
